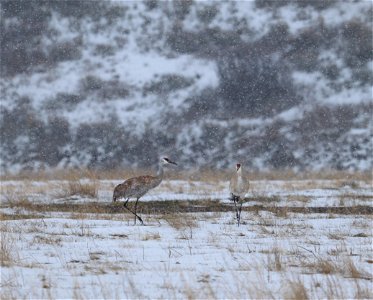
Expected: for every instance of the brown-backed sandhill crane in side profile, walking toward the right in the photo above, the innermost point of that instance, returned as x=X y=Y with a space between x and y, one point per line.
x=137 y=187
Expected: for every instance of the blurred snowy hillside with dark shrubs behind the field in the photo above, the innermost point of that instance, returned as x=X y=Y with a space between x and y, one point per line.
x=116 y=84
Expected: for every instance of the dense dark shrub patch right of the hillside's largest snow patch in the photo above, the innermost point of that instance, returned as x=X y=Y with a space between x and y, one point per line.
x=254 y=85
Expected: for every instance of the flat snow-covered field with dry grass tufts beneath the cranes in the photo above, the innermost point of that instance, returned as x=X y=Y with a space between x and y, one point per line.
x=298 y=239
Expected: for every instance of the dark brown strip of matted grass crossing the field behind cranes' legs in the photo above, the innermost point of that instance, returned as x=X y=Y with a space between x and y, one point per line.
x=175 y=207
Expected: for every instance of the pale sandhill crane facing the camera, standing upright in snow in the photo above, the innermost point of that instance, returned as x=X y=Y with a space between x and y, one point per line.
x=238 y=187
